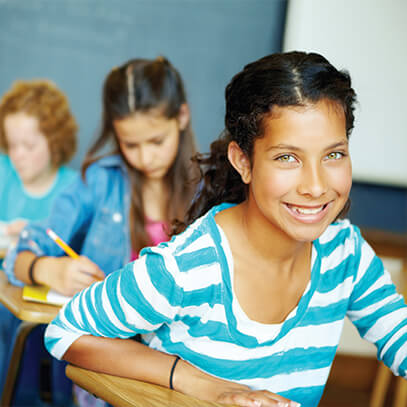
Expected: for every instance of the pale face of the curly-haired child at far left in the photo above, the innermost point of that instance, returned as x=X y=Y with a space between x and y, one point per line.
x=27 y=147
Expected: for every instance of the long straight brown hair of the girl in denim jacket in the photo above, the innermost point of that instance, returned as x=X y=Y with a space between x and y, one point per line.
x=142 y=85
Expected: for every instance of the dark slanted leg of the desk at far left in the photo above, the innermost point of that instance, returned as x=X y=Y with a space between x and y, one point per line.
x=23 y=331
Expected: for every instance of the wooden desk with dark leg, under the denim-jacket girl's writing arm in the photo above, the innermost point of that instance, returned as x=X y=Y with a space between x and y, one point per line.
x=31 y=314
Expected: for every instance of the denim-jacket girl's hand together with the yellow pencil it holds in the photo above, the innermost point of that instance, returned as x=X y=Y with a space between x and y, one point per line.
x=77 y=273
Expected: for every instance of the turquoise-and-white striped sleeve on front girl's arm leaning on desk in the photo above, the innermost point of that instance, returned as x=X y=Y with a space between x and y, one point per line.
x=136 y=299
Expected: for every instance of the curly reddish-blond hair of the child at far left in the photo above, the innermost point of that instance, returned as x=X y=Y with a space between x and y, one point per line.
x=42 y=99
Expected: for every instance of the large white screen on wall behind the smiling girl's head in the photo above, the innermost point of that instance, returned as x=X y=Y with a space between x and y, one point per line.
x=369 y=39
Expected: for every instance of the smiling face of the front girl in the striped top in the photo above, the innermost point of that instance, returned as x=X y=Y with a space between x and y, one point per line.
x=301 y=173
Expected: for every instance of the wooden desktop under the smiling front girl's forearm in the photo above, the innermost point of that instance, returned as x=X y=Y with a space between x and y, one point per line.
x=121 y=392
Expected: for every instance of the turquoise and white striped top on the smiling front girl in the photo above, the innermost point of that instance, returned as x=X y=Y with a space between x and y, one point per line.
x=180 y=296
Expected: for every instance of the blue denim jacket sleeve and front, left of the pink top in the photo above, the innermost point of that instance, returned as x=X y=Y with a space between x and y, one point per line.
x=92 y=216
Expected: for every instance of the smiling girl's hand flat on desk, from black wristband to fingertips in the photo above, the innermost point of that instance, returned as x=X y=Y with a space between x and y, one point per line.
x=192 y=381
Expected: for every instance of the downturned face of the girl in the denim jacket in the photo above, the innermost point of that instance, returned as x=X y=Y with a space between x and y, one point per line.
x=149 y=141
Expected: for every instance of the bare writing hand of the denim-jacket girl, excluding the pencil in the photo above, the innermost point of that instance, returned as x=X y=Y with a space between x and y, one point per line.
x=66 y=275
